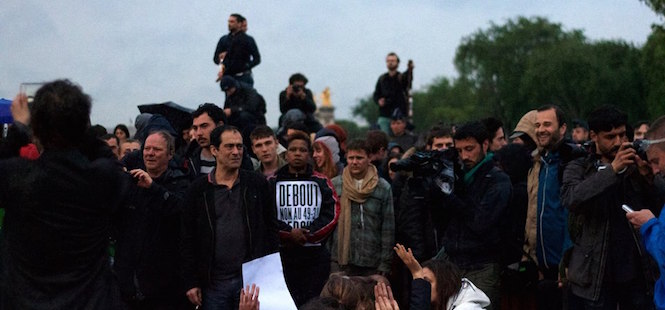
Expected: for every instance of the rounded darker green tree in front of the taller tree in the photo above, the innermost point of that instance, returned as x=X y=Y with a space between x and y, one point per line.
x=579 y=77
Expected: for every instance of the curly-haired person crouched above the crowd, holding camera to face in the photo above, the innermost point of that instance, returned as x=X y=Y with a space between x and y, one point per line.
x=297 y=96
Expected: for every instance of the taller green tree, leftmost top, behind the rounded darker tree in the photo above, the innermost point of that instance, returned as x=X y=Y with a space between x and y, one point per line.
x=494 y=61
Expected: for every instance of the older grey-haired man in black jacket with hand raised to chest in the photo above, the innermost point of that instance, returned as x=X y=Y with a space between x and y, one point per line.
x=147 y=256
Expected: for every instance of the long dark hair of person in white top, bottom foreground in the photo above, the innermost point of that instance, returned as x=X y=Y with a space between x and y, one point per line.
x=448 y=280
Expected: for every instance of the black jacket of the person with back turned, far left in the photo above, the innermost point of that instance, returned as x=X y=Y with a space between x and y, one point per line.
x=57 y=220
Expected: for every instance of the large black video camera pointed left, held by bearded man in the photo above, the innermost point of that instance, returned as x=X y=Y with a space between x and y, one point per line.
x=439 y=166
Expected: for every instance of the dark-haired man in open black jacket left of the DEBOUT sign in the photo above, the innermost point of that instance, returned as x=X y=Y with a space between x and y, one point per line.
x=229 y=218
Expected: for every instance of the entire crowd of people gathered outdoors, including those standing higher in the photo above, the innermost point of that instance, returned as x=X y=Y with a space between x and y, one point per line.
x=466 y=216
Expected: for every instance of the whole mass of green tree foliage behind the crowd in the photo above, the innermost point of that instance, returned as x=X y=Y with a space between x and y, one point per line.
x=508 y=69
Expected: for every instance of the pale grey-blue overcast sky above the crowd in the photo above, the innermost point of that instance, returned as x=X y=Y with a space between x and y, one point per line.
x=126 y=53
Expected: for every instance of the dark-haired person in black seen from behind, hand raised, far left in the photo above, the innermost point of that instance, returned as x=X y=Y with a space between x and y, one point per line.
x=58 y=209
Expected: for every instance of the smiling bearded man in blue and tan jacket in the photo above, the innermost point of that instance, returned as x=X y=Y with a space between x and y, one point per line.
x=547 y=220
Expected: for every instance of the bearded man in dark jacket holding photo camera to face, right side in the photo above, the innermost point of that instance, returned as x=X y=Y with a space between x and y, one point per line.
x=608 y=263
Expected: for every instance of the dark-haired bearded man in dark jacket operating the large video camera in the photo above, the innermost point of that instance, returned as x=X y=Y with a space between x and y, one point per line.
x=477 y=206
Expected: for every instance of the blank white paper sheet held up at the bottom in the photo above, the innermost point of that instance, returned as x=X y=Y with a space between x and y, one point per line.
x=266 y=272
